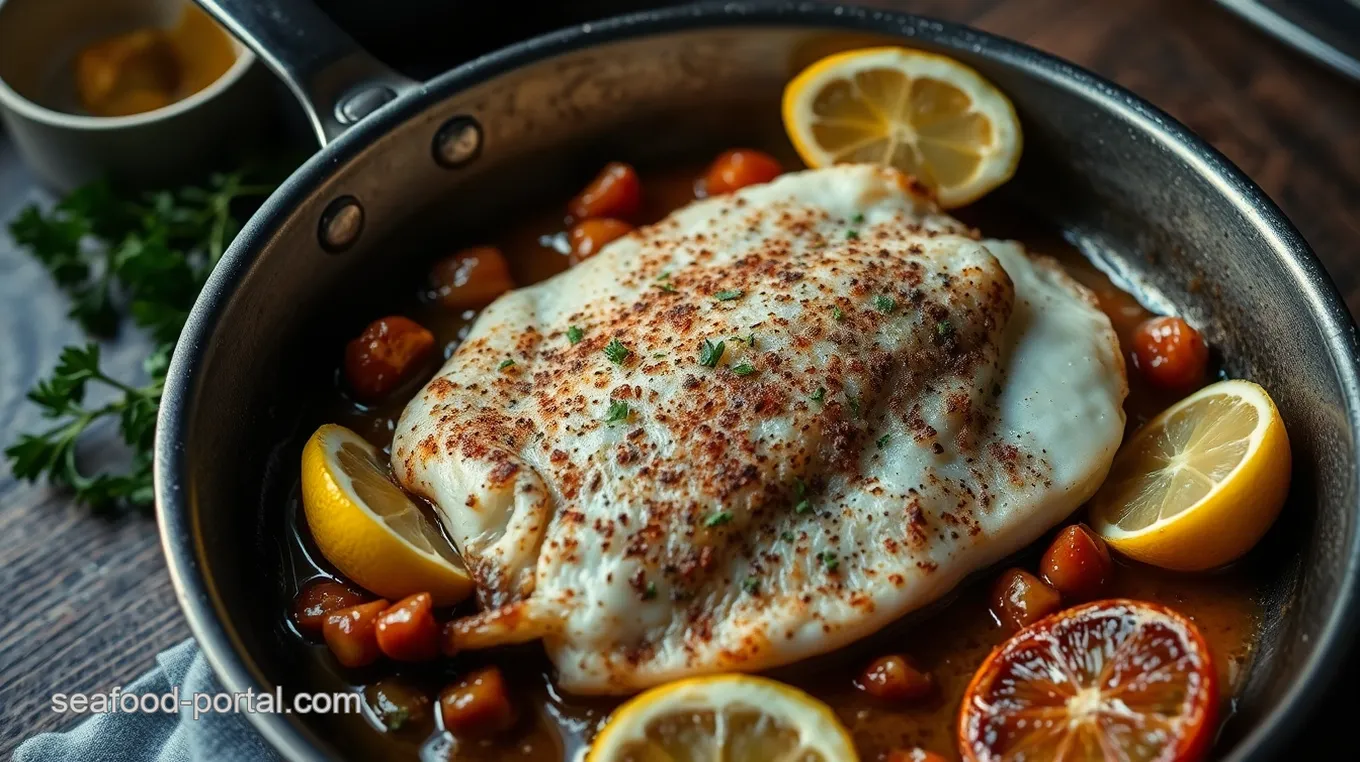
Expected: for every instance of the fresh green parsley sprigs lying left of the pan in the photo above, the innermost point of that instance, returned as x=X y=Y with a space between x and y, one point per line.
x=120 y=256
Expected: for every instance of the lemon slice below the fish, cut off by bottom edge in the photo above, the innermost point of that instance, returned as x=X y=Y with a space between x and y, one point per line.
x=724 y=719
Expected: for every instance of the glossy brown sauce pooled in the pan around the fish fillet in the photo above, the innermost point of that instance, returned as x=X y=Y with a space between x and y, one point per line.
x=554 y=727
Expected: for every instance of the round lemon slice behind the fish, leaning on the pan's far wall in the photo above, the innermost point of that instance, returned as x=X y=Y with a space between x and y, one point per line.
x=927 y=115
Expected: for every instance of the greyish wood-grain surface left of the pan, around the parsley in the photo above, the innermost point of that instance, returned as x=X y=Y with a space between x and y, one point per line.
x=88 y=602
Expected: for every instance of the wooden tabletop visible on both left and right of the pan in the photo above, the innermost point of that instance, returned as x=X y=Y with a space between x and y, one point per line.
x=86 y=602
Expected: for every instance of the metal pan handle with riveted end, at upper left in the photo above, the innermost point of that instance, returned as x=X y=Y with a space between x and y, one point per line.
x=335 y=80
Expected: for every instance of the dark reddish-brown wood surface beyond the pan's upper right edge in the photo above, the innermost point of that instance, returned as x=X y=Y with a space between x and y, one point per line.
x=1291 y=125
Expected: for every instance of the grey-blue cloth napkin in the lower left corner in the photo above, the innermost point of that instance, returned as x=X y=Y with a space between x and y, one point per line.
x=158 y=737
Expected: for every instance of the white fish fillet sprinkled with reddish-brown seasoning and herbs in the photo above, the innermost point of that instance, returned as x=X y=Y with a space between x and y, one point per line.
x=897 y=403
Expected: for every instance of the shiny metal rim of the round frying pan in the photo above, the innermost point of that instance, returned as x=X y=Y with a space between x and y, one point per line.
x=179 y=533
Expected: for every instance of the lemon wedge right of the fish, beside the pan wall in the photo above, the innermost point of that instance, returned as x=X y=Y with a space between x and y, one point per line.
x=1199 y=485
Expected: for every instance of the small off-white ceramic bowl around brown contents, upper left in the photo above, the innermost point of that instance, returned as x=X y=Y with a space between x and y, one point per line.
x=39 y=42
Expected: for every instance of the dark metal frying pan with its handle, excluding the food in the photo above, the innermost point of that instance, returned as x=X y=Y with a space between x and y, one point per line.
x=407 y=163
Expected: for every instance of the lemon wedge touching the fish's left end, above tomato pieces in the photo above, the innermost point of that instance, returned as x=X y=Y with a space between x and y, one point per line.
x=369 y=529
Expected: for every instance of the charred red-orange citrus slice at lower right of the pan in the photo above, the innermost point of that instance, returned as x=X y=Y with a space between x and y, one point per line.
x=1109 y=681
